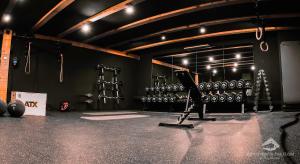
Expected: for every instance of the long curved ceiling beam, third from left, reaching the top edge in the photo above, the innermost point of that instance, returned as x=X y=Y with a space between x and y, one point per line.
x=155 y=18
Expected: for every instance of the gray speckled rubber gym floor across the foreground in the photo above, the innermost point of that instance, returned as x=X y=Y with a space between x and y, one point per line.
x=136 y=138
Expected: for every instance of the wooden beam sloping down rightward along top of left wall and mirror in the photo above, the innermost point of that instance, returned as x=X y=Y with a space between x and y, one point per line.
x=100 y=49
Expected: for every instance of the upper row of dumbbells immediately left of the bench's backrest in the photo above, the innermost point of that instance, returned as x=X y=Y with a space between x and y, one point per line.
x=166 y=88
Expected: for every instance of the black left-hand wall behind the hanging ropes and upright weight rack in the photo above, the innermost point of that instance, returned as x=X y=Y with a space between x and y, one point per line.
x=79 y=73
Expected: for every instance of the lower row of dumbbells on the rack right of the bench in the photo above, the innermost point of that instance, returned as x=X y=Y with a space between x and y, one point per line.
x=222 y=98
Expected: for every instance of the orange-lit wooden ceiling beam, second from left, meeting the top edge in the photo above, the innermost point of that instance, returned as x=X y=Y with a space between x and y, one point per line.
x=107 y=12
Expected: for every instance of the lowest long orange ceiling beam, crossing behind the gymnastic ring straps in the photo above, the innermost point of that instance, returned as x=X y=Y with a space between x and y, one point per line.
x=204 y=36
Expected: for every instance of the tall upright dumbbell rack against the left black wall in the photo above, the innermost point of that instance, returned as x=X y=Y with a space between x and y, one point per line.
x=113 y=86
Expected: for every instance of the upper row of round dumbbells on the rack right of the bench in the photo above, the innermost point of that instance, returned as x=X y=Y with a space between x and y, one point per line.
x=224 y=85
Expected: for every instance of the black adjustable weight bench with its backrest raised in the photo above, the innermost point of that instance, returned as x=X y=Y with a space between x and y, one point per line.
x=187 y=81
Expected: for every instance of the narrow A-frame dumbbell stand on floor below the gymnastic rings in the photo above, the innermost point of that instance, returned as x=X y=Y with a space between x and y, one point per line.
x=262 y=80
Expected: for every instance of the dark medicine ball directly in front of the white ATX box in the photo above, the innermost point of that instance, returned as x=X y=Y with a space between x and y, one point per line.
x=16 y=108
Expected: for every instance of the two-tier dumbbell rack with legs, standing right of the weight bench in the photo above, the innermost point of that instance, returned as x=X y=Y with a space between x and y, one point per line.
x=220 y=91
